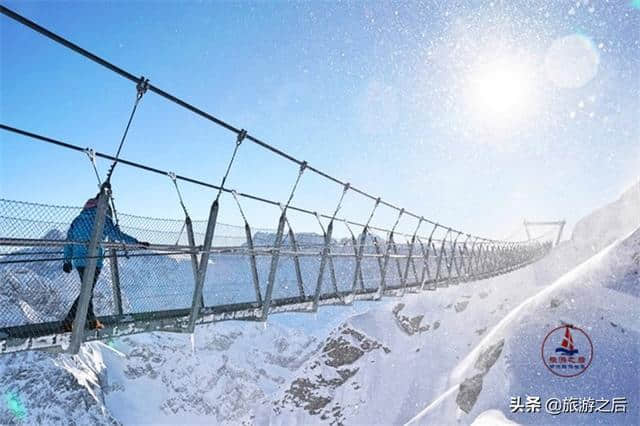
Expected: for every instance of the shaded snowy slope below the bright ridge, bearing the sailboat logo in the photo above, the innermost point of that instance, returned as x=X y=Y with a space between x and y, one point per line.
x=601 y=297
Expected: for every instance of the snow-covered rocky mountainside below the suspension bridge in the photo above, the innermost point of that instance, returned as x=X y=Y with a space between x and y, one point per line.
x=370 y=363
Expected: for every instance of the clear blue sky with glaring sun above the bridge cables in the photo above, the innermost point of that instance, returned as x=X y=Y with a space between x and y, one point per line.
x=405 y=100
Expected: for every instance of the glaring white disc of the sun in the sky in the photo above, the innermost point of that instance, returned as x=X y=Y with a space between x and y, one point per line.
x=501 y=92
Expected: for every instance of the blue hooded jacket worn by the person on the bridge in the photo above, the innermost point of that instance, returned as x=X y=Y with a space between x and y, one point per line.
x=81 y=229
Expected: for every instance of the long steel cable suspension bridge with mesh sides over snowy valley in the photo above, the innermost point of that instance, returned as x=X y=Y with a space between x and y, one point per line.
x=200 y=271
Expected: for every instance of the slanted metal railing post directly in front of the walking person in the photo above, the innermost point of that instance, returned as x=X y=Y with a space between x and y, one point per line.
x=86 y=289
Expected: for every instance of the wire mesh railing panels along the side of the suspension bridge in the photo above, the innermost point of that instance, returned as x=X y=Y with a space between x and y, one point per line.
x=140 y=289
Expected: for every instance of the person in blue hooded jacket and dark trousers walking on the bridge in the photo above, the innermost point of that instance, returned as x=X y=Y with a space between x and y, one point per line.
x=75 y=255
